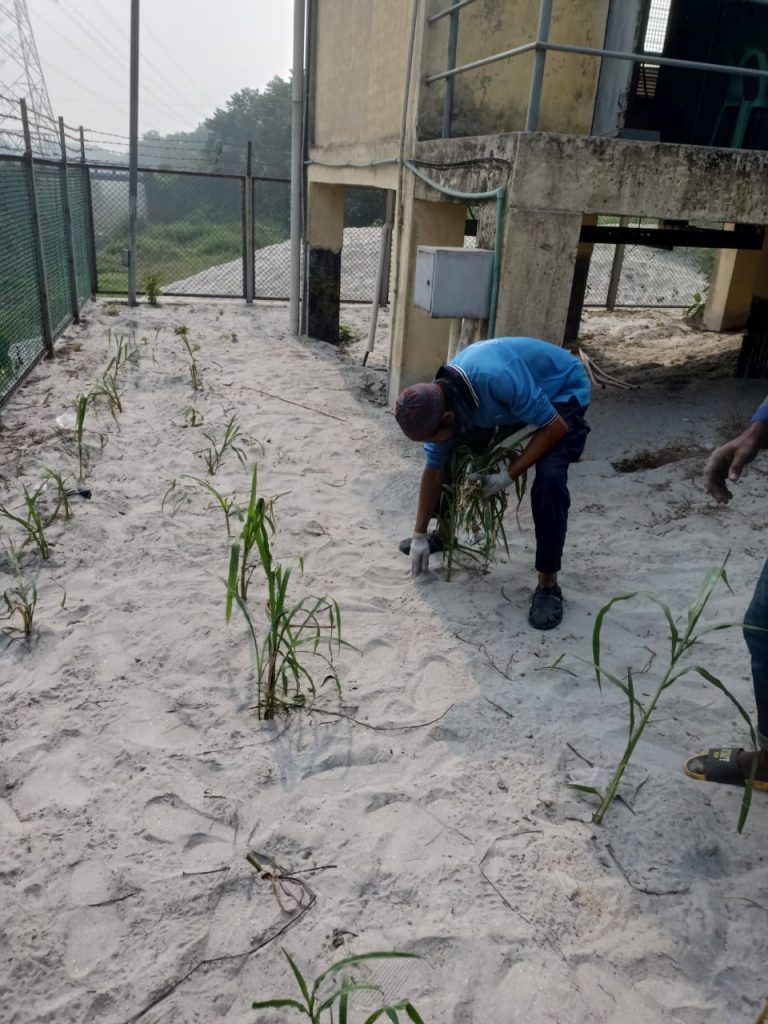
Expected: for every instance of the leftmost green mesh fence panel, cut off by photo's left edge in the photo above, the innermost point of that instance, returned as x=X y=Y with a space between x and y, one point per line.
x=21 y=318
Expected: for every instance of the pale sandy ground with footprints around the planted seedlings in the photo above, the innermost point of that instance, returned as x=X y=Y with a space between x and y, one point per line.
x=430 y=804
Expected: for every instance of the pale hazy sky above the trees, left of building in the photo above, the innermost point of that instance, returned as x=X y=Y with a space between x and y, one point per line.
x=195 y=55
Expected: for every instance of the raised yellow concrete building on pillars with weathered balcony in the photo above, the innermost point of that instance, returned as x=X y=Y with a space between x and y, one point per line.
x=518 y=105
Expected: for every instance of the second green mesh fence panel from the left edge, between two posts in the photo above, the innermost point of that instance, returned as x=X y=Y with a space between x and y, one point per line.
x=54 y=231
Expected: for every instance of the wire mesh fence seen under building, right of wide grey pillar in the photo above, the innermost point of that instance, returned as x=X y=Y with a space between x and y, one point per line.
x=651 y=277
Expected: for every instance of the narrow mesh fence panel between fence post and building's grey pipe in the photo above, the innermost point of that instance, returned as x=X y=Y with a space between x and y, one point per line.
x=272 y=235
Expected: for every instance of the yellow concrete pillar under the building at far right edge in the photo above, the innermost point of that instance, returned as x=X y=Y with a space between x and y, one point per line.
x=740 y=275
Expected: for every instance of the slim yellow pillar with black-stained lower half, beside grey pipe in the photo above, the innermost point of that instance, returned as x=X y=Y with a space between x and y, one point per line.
x=326 y=238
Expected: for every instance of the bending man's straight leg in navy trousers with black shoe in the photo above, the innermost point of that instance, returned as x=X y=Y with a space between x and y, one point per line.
x=550 y=502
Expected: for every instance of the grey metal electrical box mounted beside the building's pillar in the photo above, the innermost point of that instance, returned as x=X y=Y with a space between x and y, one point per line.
x=454 y=282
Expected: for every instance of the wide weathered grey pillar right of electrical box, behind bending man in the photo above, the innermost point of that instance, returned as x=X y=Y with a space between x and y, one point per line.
x=538 y=263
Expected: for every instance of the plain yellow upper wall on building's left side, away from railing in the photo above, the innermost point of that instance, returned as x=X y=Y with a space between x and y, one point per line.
x=362 y=52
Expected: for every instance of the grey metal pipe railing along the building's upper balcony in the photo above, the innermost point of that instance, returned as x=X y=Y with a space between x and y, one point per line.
x=541 y=47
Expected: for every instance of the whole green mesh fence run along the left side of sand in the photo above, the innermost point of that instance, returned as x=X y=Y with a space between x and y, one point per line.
x=37 y=300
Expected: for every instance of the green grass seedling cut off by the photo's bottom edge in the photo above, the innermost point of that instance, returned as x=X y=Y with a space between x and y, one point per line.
x=334 y=988
